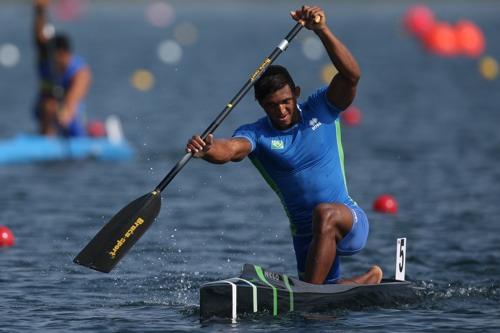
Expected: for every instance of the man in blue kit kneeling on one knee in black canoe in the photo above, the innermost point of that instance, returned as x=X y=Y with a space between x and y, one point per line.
x=297 y=149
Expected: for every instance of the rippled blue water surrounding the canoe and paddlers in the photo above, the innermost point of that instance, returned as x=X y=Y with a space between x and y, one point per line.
x=429 y=136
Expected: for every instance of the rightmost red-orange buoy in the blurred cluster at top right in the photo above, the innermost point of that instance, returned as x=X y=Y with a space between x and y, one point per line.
x=470 y=38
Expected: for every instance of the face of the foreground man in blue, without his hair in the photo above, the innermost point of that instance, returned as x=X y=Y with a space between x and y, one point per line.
x=281 y=107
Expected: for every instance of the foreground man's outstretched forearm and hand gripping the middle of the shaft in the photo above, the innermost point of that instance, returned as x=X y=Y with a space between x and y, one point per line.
x=219 y=151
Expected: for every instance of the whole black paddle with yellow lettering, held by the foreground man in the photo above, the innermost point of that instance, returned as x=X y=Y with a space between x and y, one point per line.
x=114 y=240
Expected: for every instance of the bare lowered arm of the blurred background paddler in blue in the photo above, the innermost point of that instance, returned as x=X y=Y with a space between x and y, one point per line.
x=77 y=91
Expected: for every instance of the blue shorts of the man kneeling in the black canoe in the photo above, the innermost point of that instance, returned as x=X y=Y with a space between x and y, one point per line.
x=351 y=244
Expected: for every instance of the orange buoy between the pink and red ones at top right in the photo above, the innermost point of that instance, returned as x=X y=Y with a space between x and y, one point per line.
x=441 y=39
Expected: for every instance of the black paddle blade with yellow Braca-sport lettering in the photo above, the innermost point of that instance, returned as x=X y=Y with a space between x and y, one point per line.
x=125 y=228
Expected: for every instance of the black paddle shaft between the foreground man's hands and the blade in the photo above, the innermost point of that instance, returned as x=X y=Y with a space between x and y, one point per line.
x=230 y=106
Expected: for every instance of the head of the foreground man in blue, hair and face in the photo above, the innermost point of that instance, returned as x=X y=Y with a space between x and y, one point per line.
x=277 y=94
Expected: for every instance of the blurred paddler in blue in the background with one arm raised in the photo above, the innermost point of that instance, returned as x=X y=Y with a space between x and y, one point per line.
x=64 y=80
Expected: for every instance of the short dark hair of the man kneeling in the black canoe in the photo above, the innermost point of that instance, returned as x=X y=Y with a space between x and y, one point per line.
x=274 y=78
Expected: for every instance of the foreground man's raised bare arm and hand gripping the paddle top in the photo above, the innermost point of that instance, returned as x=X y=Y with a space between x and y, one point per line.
x=342 y=88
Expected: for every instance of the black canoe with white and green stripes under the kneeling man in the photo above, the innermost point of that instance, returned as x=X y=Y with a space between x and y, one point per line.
x=257 y=290
